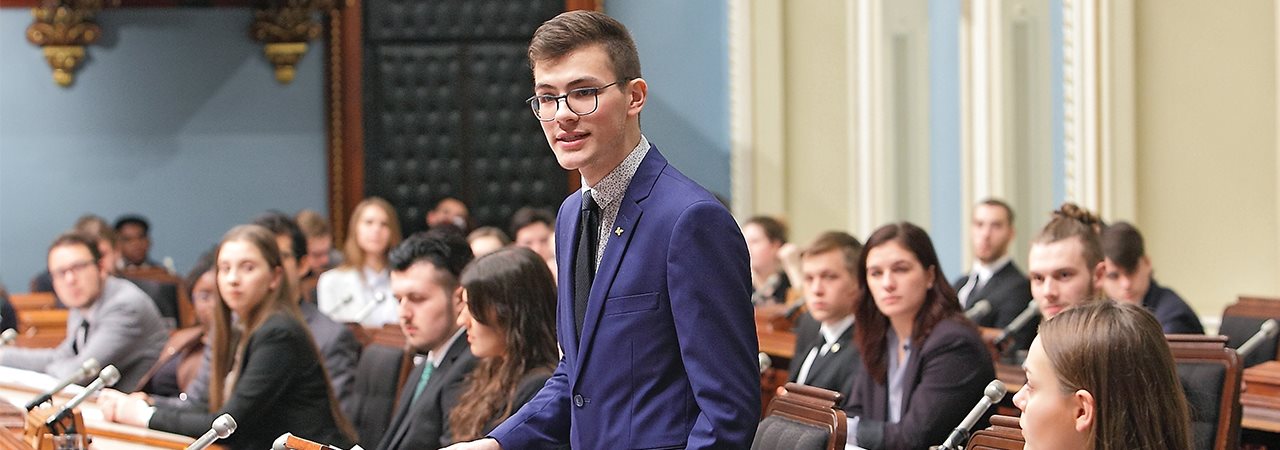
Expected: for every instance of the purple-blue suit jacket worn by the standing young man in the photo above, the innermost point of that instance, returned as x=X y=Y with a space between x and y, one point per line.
x=668 y=357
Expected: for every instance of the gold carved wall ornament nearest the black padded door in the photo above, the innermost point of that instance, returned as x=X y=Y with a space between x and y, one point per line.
x=285 y=27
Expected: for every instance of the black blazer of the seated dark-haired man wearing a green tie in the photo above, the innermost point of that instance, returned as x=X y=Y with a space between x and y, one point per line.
x=426 y=424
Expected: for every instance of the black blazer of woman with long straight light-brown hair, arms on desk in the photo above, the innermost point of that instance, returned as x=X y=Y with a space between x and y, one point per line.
x=281 y=389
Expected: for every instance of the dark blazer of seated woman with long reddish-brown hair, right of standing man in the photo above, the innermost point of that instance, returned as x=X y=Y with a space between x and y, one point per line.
x=945 y=378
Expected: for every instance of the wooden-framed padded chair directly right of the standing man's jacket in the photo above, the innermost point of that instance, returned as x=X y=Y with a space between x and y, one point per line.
x=803 y=419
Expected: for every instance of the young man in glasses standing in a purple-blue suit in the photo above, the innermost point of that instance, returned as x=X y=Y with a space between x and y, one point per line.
x=655 y=314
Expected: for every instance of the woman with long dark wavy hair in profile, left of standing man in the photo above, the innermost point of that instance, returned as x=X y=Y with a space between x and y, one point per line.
x=510 y=316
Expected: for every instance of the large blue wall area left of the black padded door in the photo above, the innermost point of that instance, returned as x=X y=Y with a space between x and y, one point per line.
x=176 y=116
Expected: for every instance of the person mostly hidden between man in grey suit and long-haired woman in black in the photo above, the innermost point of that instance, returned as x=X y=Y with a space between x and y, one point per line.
x=184 y=357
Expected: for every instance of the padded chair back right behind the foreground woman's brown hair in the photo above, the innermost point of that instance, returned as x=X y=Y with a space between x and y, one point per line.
x=1212 y=375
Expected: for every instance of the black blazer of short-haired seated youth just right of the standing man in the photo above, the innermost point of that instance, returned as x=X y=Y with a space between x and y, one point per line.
x=834 y=371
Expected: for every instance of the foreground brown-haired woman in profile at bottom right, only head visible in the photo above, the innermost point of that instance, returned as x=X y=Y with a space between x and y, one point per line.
x=1101 y=376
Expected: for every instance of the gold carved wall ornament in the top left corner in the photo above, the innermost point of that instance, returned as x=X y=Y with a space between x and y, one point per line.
x=63 y=29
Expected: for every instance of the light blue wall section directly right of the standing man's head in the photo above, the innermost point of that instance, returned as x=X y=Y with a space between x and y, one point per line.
x=684 y=56
